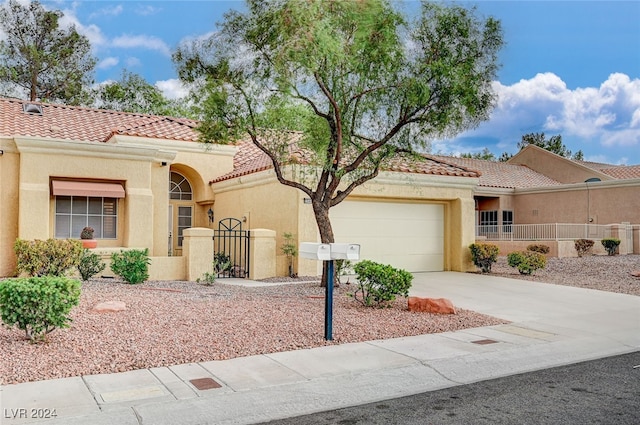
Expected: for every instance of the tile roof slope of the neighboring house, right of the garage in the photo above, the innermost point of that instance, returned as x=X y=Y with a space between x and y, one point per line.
x=502 y=175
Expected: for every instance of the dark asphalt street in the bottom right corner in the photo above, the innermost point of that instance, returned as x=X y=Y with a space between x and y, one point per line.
x=598 y=392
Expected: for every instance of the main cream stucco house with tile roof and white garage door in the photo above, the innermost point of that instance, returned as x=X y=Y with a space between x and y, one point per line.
x=142 y=180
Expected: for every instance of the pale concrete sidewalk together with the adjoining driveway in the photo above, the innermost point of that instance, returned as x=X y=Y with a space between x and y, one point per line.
x=551 y=326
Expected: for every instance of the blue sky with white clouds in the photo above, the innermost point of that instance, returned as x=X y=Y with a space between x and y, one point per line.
x=569 y=68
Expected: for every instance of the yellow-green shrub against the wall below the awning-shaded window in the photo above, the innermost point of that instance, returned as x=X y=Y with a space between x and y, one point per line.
x=53 y=257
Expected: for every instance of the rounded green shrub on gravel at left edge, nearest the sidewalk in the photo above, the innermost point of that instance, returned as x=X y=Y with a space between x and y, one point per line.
x=38 y=305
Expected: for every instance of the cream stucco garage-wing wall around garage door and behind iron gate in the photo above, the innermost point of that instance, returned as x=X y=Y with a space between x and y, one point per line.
x=268 y=204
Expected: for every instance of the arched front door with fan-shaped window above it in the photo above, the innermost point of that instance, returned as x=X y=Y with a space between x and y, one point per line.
x=180 y=211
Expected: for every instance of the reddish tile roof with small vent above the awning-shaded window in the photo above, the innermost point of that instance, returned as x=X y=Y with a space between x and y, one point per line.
x=86 y=124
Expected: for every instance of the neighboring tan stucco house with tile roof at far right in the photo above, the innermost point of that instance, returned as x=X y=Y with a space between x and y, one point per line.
x=536 y=187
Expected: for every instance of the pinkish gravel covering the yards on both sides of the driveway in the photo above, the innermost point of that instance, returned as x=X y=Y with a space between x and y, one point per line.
x=169 y=323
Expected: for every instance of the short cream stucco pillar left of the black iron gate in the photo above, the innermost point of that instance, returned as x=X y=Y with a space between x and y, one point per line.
x=197 y=248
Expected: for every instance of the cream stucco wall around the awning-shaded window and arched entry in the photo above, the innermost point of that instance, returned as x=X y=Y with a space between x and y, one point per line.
x=142 y=166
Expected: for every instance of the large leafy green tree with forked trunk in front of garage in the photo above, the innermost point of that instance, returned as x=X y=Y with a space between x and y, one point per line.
x=371 y=84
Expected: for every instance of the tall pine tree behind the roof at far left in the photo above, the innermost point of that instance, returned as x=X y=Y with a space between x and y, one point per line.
x=48 y=62
